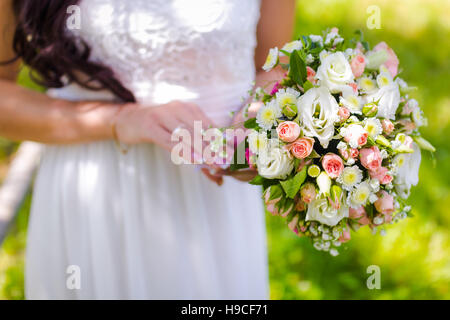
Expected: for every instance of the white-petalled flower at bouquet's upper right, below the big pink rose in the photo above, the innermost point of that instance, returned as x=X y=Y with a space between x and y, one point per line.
x=389 y=99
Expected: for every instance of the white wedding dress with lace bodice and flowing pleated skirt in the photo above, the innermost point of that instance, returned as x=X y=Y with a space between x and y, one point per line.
x=136 y=226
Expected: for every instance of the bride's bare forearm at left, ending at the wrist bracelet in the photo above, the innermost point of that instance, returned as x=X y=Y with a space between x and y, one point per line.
x=29 y=115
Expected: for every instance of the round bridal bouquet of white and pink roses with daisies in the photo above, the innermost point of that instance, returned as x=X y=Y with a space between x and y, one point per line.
x=336 y=143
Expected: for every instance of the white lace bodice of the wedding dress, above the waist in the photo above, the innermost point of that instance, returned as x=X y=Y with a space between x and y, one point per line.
x=174 y=49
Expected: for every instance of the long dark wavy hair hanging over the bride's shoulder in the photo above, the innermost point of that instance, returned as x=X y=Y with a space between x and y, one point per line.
x=41 y=41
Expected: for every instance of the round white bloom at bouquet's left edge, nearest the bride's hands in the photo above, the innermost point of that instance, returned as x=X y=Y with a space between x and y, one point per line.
x=275 y=163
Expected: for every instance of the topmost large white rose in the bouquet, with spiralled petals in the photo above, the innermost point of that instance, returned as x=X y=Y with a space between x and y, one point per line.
x=335 y=72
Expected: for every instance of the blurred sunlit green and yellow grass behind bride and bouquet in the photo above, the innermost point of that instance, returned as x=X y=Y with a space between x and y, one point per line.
x=414 y=256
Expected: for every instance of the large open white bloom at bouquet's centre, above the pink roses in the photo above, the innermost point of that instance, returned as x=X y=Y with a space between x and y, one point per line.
x=318 y=112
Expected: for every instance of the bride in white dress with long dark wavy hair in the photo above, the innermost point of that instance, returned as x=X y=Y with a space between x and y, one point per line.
x=112 y=217
